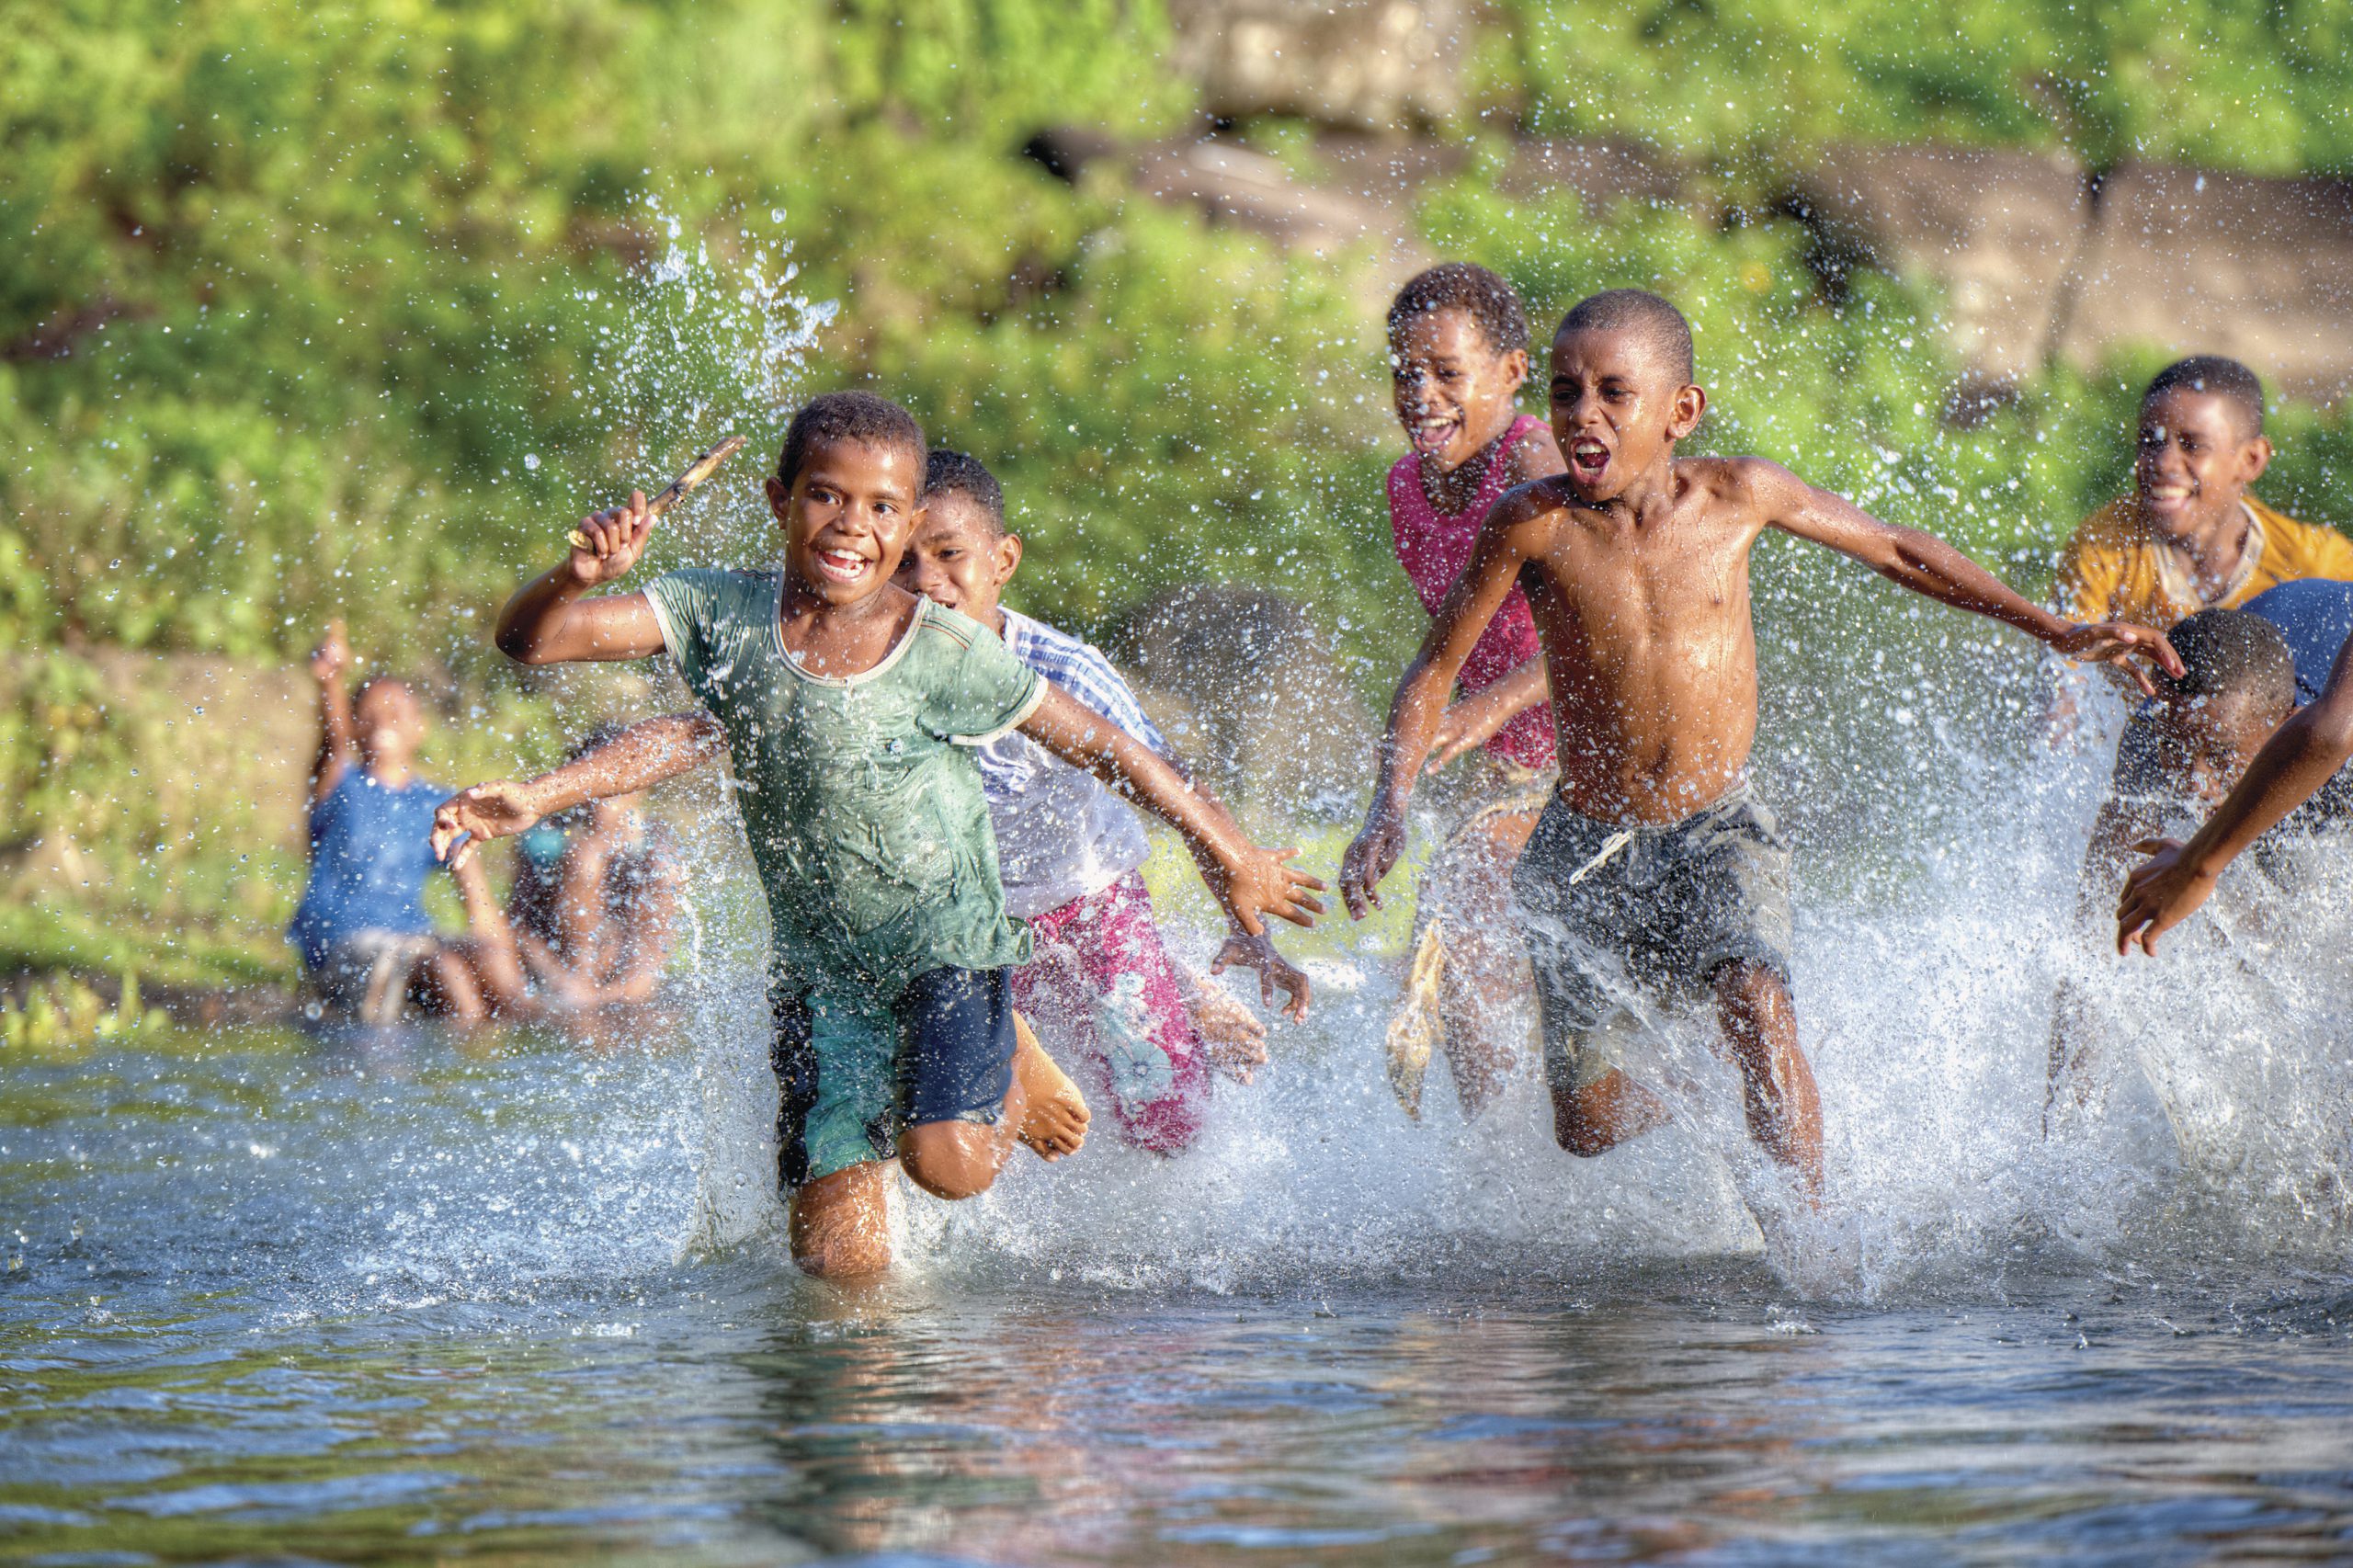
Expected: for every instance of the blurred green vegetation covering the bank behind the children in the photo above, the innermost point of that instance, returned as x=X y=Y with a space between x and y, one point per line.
x=349 y=312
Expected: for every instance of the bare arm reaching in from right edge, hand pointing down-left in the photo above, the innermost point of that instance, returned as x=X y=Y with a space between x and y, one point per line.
x=2284 y=776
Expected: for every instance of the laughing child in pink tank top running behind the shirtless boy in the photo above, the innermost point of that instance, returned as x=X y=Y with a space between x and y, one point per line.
x=1458 y=350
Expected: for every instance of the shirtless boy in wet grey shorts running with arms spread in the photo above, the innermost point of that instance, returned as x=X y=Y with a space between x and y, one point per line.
x=1655 y=861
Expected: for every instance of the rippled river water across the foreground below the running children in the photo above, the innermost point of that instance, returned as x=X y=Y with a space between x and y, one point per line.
x=406 y=1298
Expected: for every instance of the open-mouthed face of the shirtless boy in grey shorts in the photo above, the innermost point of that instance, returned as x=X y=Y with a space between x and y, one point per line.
x=1618 y=411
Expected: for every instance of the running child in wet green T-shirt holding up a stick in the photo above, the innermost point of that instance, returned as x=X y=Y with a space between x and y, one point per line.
x=851 y=712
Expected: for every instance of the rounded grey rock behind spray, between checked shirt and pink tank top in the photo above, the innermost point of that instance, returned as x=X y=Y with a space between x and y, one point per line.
x=1248 y=691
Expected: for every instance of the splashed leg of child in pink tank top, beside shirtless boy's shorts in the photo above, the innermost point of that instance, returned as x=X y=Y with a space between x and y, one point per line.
x=1486 y=964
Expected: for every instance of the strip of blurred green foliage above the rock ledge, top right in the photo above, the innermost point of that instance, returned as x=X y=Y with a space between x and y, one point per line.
x=2222 y=84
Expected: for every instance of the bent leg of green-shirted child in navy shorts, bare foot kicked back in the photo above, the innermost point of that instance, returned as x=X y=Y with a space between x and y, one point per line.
x=971 y=1084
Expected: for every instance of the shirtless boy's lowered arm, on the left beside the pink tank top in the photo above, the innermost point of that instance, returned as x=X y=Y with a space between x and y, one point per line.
x=1512 y=533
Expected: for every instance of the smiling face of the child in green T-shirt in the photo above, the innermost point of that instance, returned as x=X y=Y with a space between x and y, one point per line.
x=848 y=519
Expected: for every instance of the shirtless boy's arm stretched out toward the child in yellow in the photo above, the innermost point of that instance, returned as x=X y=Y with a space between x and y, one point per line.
x=1935 y=569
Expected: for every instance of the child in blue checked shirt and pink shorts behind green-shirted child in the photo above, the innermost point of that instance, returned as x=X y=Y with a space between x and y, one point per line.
x=1072 y=851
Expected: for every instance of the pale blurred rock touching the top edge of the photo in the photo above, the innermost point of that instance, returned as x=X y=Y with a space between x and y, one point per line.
x=1361 y=65
